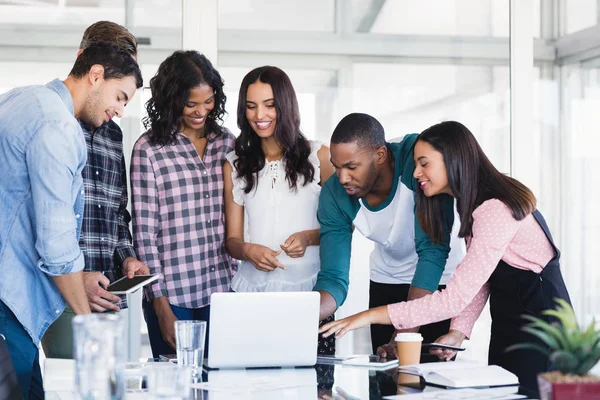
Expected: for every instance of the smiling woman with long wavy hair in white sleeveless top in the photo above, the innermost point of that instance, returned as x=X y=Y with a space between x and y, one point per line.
x=272 y=186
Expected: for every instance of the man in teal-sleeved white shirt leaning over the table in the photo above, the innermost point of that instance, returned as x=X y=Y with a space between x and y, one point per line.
x=373 y=191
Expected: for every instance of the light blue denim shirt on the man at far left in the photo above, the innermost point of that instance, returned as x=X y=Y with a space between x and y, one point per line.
x=42 y=154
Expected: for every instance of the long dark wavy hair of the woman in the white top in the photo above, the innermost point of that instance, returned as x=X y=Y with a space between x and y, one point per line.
x=294 y=146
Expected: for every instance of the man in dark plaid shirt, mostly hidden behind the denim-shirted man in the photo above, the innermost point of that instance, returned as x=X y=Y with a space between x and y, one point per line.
x=105 y=238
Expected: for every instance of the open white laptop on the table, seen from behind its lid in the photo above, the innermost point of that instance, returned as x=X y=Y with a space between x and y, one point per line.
x=277 y=329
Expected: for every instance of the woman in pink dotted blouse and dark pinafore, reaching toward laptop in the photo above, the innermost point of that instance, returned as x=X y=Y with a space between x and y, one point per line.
x=511 y=257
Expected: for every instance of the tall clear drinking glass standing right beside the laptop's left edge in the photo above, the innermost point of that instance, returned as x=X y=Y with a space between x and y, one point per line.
x=190 y=337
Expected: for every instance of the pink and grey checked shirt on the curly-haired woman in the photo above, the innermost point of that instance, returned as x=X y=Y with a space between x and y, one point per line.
x=178 y=218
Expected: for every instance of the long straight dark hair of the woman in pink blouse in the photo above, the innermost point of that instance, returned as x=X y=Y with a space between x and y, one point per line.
x=472 y=179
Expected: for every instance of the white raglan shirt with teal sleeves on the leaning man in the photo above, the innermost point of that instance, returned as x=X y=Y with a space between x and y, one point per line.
x=403 y=251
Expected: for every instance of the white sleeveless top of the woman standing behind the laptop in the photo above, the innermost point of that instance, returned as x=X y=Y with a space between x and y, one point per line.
x=273 y=212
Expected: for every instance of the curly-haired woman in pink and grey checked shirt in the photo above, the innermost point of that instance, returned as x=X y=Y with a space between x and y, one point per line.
x=177 y=195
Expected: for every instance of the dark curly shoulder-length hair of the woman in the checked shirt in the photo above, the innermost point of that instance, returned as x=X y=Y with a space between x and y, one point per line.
x=176 y=76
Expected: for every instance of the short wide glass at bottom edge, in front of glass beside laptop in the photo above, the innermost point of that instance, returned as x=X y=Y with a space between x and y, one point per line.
x=168 y=381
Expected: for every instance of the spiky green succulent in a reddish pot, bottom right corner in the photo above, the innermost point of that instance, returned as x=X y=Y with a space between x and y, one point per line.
x=572 y=350
